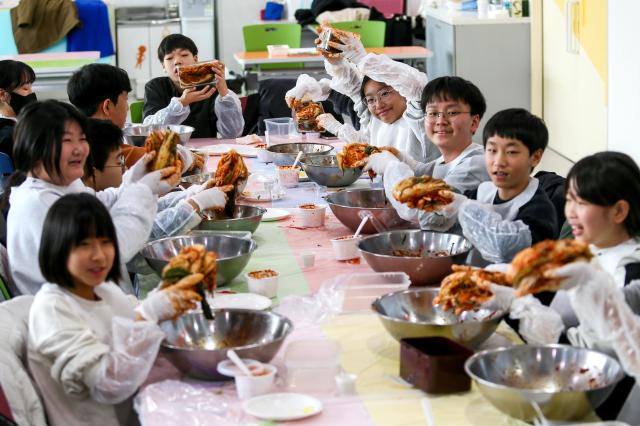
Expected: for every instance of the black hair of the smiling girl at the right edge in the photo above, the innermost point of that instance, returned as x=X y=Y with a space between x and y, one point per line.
x=604 y=179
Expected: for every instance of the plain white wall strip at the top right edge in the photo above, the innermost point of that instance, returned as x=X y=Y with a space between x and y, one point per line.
x=624 y=77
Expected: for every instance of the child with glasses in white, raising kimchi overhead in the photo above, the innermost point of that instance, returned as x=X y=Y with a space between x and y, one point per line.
x=380 y=89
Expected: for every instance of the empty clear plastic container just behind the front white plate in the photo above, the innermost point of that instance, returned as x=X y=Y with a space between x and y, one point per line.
x=312 y=366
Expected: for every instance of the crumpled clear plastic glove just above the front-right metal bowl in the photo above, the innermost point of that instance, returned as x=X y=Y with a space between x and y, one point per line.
x=539 y=324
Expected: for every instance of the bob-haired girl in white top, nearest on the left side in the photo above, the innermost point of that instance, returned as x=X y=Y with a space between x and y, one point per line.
x=90 y=346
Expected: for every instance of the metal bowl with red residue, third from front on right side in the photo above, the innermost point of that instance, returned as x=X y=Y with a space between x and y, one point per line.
x=434 y=253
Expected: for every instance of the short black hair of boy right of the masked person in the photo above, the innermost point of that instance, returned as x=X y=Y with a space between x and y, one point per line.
x=92 y=84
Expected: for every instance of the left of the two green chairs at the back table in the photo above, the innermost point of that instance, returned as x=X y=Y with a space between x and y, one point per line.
x=258 y=37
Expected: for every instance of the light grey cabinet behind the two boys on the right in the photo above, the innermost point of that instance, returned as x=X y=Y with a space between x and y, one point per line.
x=494 y=54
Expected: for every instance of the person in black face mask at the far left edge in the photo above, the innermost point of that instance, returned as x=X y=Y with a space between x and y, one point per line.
x=16 y=91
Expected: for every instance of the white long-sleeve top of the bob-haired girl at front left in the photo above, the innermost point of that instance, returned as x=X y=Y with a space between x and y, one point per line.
x=89 y=357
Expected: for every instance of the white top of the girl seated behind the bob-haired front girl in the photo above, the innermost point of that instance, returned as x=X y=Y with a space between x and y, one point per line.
x=132 y=208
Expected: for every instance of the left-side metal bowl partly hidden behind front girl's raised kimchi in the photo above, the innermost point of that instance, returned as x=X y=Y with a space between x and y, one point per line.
x=233 y=252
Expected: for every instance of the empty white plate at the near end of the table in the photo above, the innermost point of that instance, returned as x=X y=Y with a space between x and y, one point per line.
x=282 y=406
